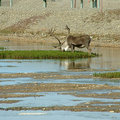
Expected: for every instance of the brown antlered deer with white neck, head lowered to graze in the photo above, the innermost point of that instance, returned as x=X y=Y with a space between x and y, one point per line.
x=72 y=41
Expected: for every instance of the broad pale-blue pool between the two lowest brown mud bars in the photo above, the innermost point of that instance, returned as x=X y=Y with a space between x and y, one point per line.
x=55 y=99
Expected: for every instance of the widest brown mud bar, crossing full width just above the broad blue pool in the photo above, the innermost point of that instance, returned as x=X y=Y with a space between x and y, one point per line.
x=47 y=87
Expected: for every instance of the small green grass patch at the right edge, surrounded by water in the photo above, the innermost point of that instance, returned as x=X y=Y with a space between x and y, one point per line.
x=107 y=75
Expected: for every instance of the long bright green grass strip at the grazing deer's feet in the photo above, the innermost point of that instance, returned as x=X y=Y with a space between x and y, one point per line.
x=43 y=54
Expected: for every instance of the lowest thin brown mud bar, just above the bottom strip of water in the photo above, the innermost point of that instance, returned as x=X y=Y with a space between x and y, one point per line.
x=88 y=107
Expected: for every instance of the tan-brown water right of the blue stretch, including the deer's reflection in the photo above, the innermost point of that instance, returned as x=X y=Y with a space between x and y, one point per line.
x=109 y=60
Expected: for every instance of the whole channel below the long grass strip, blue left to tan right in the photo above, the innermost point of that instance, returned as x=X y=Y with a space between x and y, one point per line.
x=110 y=60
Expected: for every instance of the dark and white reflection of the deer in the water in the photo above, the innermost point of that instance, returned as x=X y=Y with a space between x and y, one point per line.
x=76 y=64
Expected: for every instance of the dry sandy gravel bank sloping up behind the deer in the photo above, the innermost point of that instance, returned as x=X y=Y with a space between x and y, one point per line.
x=28 y=25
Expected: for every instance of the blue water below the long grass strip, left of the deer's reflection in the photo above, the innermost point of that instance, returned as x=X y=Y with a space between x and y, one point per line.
x=28 y=66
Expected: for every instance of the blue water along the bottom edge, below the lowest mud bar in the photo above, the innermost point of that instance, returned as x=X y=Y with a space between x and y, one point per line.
x=58 y=115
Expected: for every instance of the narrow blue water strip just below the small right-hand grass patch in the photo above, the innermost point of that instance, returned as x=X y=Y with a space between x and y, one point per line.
x=14 y=81
